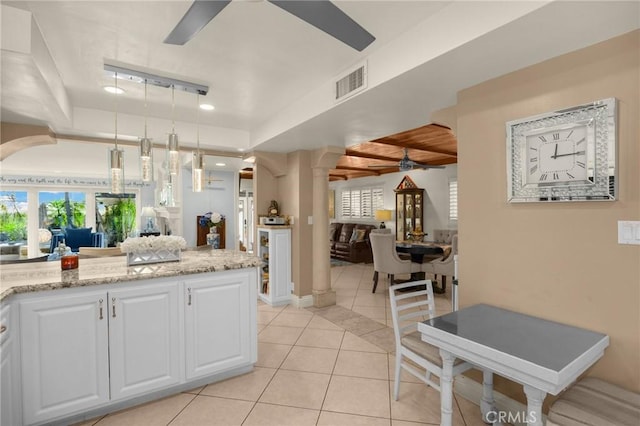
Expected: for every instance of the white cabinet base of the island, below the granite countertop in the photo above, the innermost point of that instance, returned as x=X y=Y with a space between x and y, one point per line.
x=83 y=349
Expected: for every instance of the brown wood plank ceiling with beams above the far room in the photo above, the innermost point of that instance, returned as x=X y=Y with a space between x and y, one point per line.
x=432 y=144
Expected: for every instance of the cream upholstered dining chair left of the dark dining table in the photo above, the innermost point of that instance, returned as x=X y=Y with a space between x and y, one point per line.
x=386 y=259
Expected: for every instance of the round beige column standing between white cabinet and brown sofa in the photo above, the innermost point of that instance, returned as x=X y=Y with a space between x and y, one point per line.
x=323 y=295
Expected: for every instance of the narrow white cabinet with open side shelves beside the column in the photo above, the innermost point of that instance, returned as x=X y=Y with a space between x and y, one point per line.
x=274 y=248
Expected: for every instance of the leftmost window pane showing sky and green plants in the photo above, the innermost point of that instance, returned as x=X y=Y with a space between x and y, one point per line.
x=13 y=216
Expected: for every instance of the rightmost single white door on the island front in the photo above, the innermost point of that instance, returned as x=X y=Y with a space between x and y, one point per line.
x=220 y=318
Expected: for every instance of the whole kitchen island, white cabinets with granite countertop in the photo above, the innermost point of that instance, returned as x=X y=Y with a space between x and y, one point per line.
x=80 y=343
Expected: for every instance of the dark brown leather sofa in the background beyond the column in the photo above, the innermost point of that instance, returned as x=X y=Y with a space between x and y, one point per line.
x=350 y=242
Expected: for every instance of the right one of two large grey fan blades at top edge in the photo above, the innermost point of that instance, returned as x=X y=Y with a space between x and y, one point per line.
x=327 y=17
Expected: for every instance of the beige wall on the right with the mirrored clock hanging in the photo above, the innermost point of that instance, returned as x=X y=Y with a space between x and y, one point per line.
x=558 y=261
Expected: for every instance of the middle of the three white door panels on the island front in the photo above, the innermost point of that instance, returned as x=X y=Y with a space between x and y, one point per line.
x=144 y=333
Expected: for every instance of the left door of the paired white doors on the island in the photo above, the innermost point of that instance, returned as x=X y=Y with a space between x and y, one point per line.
x=65 y=355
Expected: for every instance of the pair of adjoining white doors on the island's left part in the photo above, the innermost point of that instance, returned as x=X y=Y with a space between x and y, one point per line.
x=80 y=351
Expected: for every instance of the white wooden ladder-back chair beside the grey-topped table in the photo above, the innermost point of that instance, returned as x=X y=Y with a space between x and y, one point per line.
x=407 y=309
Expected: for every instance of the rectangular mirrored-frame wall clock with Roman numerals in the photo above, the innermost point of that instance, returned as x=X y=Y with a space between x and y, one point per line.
x=565 y=155
